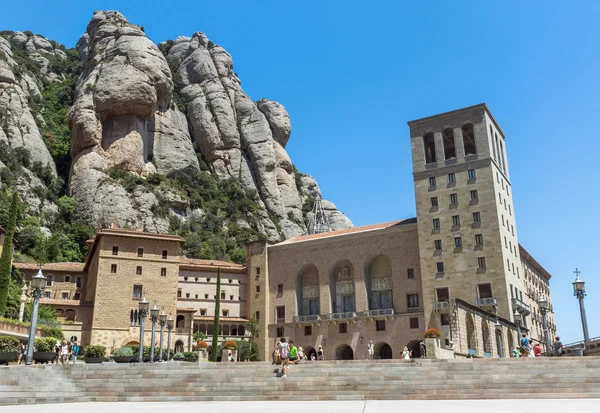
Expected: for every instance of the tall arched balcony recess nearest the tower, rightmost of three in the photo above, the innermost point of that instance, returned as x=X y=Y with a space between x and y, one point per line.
x=378 y=282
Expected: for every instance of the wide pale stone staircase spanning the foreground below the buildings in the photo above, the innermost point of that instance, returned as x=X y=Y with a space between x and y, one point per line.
x=567 y=377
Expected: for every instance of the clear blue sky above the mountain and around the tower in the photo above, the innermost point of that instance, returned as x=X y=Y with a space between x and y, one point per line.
x=351 y=74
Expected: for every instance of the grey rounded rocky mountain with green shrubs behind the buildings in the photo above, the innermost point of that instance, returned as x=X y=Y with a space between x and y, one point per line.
x=162 y=137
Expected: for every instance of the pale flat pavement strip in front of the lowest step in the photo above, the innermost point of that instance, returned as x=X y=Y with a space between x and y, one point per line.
x=370 y=406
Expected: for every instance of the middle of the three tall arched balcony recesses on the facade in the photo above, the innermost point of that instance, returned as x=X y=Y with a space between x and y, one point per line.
x=341 y=285
